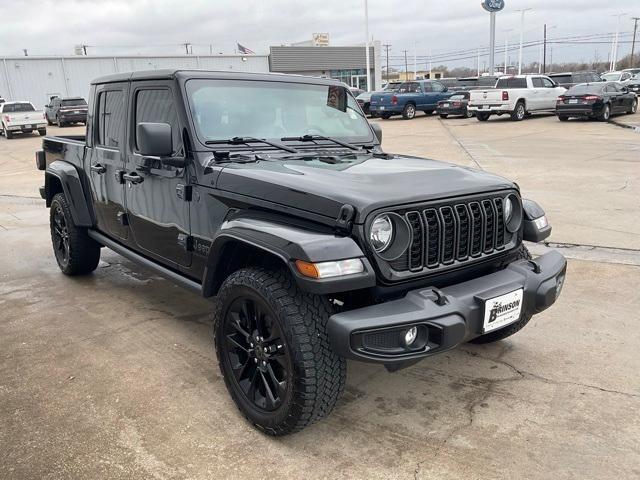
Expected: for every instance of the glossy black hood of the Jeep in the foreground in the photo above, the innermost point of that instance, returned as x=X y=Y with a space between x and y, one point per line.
x=367 y=183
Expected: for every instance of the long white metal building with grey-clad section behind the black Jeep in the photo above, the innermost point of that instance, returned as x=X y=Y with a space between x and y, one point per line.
x=36 y=79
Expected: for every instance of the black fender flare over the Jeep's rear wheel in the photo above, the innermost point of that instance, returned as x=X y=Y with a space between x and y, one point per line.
x=69 y=179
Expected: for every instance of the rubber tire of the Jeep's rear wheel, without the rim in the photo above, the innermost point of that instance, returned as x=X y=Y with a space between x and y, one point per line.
x=84 y=253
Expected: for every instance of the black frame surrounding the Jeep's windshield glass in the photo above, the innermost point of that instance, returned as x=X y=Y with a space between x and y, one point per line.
x=370 y=139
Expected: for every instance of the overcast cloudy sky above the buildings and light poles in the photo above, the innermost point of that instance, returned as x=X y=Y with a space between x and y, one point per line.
x=159 y=27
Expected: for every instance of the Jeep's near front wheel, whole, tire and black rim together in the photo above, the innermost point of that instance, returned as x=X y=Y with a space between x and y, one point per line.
x=273 y=351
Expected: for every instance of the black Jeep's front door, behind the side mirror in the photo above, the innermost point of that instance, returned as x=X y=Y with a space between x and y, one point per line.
x=157 y=195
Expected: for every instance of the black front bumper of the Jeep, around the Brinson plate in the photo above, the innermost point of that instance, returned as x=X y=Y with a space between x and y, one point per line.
x=446 y=318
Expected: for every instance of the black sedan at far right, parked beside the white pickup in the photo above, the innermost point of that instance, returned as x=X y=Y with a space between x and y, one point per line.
x=597 y=100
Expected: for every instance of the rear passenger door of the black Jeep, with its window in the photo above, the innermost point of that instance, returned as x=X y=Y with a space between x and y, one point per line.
x=107 y=158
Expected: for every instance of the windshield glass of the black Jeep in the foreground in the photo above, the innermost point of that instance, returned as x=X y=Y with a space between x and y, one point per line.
x=224 y=109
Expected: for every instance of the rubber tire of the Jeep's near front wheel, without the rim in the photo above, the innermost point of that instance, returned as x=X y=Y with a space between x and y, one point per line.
x=319 y=374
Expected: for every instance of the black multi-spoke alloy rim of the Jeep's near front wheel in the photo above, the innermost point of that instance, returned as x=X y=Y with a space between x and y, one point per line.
x=256 y=352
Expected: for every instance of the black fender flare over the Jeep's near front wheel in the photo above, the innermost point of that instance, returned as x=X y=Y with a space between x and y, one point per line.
x=286 y=243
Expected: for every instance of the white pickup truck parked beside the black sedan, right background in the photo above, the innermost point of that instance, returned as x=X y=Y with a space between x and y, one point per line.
x=516 y=96
